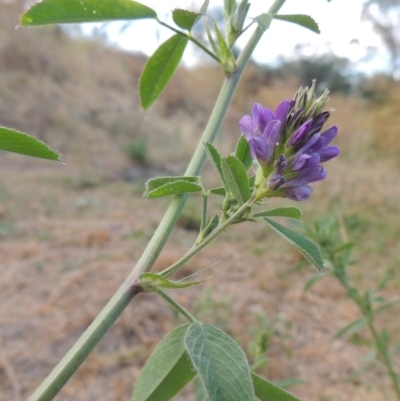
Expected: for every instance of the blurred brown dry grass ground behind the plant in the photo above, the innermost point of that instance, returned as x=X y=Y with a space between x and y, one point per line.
x=70 y=234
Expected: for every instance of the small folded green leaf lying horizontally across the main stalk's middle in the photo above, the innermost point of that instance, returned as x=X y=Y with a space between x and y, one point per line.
x=166 y=186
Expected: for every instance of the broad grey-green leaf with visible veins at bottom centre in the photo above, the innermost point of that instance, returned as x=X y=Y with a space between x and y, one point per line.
x=220 y=362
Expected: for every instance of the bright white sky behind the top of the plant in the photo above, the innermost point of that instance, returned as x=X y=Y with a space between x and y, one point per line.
x=339 y=22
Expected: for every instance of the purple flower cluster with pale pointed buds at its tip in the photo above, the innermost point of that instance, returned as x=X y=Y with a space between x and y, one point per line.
x=289 y=146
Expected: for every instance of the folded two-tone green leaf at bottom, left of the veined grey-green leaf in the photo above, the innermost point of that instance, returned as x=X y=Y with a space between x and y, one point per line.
x=167 y=370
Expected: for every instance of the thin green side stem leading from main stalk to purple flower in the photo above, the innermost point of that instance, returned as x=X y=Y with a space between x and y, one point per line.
x=168 y=272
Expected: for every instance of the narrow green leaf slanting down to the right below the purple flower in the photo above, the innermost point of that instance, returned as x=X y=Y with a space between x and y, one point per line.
x=304 y=245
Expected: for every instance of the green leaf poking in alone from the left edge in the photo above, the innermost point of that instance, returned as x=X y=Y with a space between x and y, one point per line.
x=18 y=142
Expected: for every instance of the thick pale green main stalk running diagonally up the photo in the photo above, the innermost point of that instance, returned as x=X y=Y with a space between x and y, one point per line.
x=93 y=334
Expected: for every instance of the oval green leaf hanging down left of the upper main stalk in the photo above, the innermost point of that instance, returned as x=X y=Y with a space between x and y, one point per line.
x=160 y=68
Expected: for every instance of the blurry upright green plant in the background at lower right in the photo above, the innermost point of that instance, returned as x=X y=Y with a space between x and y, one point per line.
x=337 y=251
